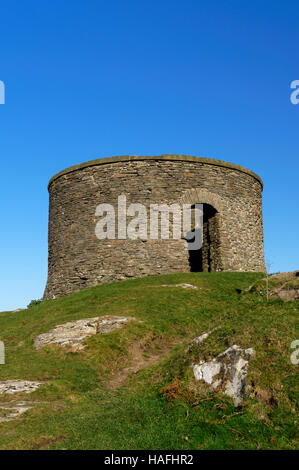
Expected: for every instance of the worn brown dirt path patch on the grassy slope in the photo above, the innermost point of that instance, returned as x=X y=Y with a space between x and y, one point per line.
x=139 y=361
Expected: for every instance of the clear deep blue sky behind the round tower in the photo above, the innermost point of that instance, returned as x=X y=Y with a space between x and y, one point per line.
x=90 y=79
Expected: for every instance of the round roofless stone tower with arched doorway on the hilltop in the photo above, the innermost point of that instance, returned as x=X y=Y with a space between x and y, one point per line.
x=230 y=195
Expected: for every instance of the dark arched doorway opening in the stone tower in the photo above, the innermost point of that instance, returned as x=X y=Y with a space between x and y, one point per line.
x=206 y=258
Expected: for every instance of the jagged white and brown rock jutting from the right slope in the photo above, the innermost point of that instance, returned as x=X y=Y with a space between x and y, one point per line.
x=228 y=371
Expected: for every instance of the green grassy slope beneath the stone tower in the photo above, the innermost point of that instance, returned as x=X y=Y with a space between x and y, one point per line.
x=79 y=412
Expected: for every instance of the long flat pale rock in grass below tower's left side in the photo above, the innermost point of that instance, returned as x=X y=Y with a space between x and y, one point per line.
x=72 y=334
